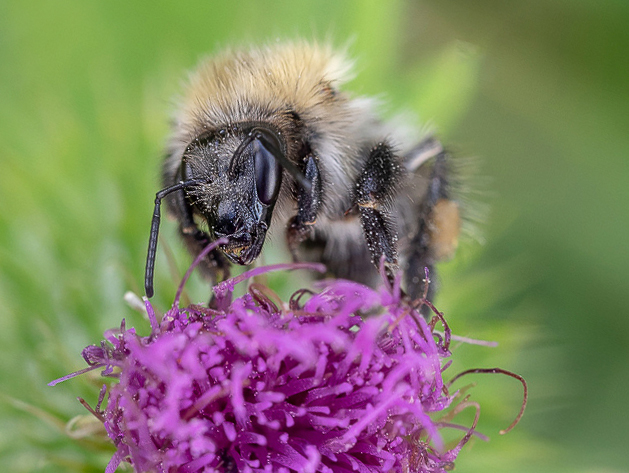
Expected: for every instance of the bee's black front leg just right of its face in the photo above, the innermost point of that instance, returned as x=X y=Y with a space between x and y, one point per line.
x=300 y=227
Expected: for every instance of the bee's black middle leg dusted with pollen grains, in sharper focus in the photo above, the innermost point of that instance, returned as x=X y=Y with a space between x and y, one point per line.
x=374 y=192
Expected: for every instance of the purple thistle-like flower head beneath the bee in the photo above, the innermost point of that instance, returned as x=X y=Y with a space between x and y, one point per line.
x=260 y=385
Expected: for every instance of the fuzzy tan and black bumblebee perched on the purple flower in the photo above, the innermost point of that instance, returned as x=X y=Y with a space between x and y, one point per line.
x=264 y=140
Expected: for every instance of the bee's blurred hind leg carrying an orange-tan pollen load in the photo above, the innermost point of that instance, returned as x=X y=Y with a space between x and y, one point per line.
x=437 y=232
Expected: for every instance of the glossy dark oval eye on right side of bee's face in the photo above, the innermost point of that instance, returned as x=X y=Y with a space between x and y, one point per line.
x=268 y=170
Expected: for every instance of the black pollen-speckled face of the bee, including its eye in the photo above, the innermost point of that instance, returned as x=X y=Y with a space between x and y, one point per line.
x=240 y=177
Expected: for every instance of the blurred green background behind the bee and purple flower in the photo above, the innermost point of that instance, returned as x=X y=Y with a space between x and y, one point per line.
x=537 y=90
